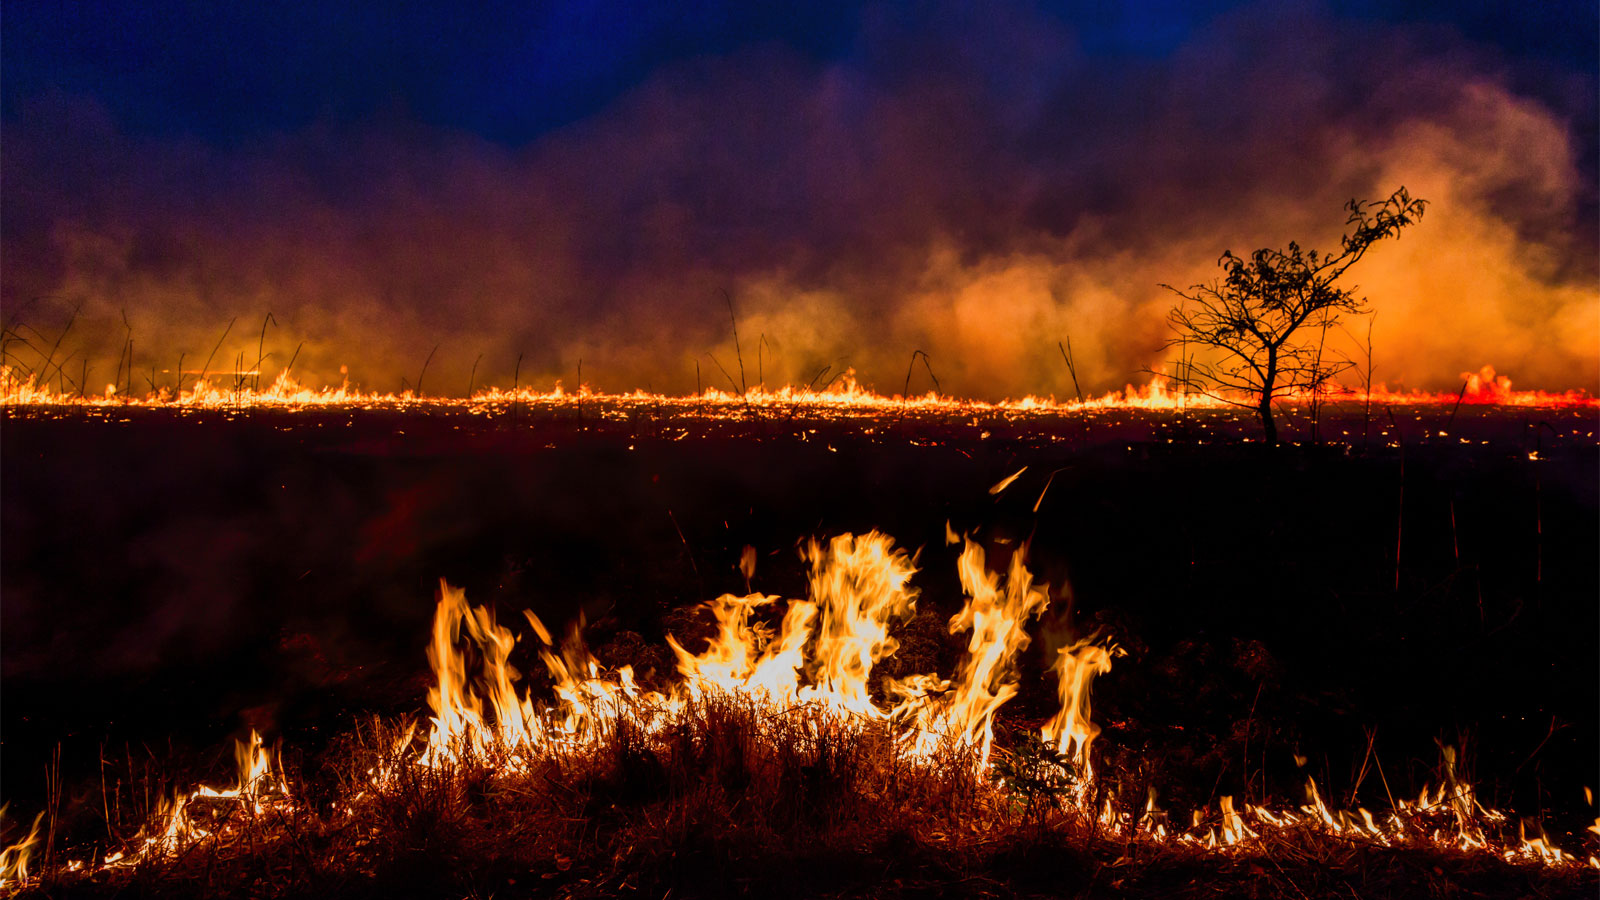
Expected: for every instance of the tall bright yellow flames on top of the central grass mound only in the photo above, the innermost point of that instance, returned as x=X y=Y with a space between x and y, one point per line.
x=822 y=657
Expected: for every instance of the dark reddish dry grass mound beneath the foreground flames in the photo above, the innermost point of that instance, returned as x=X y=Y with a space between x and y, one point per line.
x=732 y=800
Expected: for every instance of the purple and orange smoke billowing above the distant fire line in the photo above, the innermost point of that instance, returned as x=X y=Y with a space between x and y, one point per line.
x=977 y=187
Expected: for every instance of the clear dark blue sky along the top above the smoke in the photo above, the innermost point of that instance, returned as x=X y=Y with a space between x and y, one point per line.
x=513 y=71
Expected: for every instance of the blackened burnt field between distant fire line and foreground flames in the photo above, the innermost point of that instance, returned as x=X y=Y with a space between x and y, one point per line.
x=1418 y=579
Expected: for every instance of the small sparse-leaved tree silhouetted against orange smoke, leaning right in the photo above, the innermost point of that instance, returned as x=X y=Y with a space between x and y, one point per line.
x=1266 y=318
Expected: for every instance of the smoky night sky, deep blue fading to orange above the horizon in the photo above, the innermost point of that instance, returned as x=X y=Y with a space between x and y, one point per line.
x=583 y=182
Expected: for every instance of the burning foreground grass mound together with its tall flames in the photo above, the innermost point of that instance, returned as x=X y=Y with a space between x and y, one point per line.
x=782 y=760
